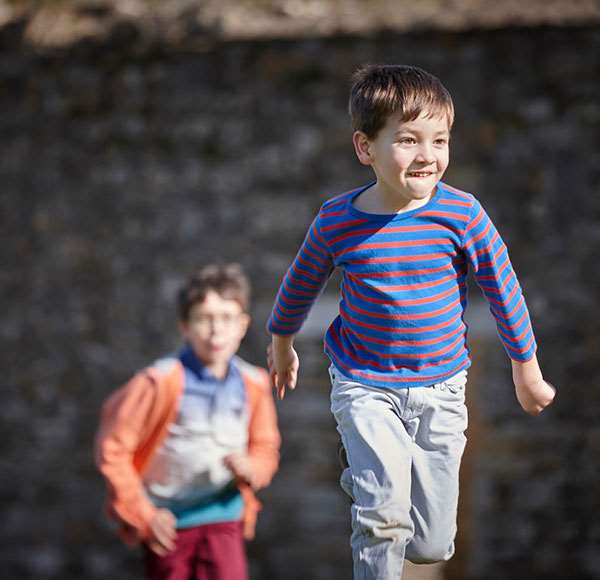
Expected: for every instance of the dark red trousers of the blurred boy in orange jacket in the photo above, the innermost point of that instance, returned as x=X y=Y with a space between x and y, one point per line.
x=208 y=552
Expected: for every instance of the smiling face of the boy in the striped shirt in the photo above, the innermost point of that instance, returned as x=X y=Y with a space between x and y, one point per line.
x=408 y=157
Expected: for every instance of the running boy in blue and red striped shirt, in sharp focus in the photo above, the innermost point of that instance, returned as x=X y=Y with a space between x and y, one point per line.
x=398 y=348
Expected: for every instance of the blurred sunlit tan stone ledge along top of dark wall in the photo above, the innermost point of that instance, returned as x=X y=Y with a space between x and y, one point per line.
x=60 y=24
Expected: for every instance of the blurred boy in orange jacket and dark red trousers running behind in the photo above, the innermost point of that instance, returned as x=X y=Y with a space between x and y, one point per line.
x=186 y=442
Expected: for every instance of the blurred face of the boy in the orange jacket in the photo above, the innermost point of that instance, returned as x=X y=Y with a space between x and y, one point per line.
x=215 y=328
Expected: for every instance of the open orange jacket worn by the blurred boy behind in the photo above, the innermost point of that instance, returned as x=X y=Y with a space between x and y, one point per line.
x=134 y=422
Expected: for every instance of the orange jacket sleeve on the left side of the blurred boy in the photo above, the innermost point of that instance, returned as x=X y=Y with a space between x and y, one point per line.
x=124 y=416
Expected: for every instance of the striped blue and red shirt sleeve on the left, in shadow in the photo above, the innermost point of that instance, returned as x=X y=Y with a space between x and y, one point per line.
x=302 y=284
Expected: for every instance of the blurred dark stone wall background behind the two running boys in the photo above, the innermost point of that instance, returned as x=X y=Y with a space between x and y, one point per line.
x=141 y=138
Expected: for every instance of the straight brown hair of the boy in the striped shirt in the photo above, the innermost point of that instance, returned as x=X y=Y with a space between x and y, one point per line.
x=379 y=91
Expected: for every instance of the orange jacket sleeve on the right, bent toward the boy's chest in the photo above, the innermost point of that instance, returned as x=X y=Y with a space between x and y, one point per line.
x=264 y=439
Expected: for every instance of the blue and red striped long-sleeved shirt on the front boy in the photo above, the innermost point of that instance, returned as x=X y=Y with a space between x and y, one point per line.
x=403 y=292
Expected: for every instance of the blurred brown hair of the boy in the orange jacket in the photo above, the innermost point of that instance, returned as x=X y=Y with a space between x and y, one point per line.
x=227 y=280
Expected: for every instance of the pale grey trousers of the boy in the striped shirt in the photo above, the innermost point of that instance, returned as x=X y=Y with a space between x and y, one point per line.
x=404 y=448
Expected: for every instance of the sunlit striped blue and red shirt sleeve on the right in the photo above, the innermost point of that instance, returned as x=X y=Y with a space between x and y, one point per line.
x=488 y=256
